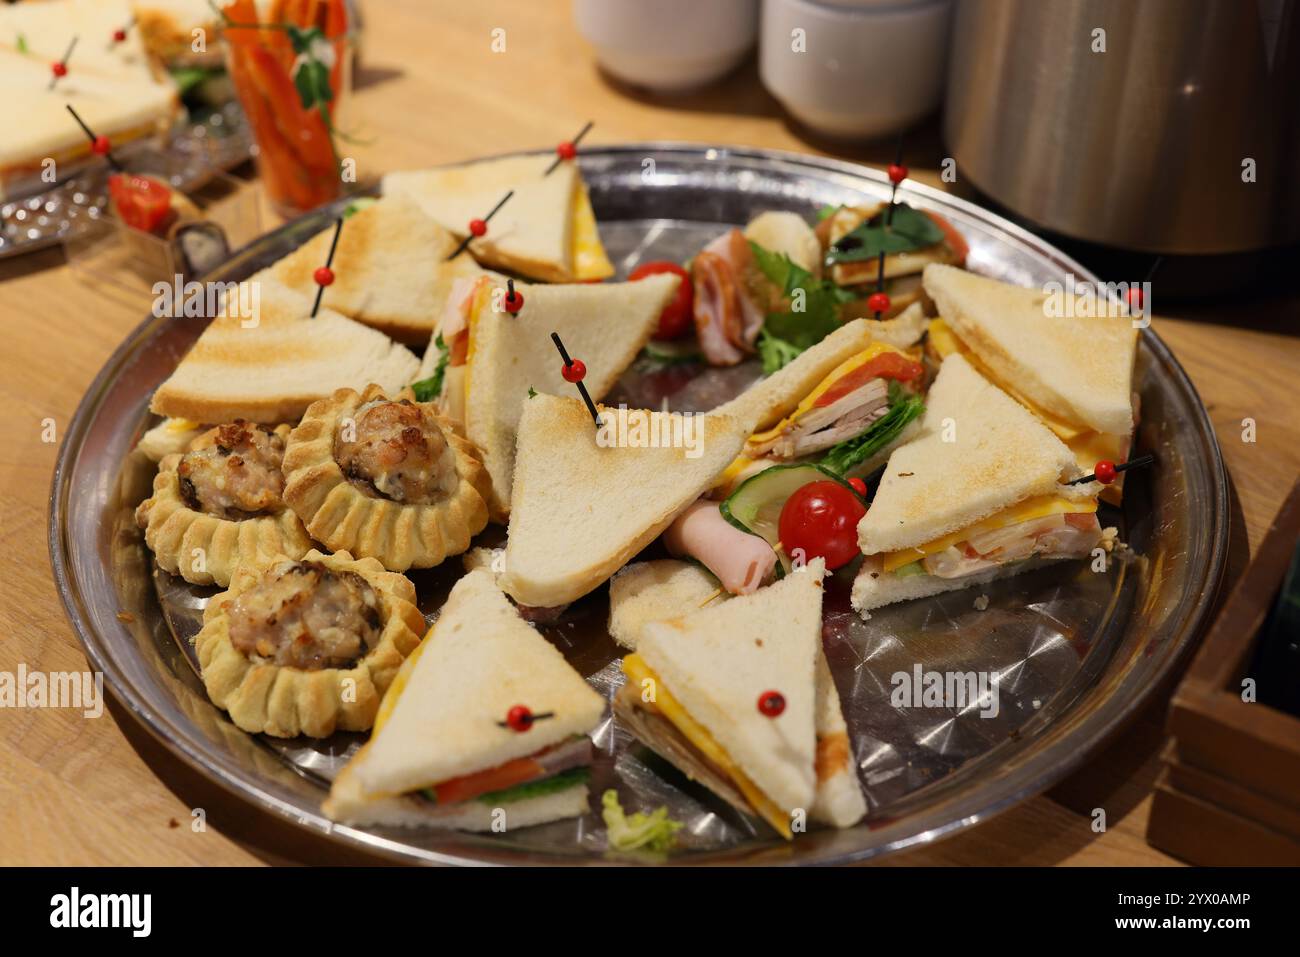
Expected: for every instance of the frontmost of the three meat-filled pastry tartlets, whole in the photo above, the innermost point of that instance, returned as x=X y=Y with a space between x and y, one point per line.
x=307 y=647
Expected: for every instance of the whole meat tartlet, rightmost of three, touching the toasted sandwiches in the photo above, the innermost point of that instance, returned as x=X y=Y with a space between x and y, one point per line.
x=387 y=479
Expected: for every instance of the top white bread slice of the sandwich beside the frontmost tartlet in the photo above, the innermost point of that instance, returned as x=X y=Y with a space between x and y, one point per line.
x=443 y=720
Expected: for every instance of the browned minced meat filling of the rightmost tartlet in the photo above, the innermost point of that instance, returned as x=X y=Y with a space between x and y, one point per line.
x=396 y=451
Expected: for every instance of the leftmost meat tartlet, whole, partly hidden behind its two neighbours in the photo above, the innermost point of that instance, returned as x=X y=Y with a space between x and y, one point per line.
x=220 y=504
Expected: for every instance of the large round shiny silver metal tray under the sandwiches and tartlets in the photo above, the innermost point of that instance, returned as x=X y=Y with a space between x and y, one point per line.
x=1077 y=652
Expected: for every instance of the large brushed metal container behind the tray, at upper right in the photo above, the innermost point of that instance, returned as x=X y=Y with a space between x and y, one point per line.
x=1139 y=146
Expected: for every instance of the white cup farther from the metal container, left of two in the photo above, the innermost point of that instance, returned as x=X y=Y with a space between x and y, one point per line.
x=669 y=46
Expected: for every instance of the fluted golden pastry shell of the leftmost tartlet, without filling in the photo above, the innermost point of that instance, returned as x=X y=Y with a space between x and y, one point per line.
x=205 y=549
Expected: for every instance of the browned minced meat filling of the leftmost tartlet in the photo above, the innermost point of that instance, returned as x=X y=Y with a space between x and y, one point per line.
x=233 y=471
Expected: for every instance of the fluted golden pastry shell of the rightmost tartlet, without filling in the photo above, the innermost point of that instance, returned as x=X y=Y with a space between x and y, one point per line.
x=344 y=518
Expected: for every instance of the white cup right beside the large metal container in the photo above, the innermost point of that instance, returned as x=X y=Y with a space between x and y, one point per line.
x=856 y=68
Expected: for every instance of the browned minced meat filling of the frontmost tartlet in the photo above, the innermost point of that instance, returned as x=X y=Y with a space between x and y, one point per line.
x=305 y=616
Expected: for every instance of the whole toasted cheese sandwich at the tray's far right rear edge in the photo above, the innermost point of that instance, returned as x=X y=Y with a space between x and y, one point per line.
x=1073 y=371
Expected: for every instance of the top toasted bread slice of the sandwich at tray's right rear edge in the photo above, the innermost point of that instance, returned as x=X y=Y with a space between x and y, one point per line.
x=1077 y=369
